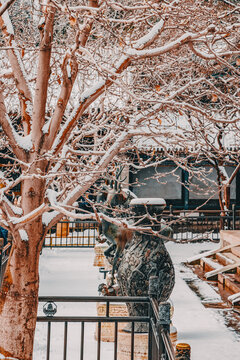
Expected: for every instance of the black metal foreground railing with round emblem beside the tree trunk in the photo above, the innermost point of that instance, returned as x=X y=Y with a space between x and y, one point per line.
x=160 y=333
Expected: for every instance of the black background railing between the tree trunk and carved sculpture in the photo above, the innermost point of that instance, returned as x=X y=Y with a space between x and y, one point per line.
x=72 y=234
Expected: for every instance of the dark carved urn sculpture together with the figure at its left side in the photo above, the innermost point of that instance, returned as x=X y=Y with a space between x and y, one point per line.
x=137 y=256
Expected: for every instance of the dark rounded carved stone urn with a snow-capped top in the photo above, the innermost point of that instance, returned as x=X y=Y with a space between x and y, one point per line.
x=146 y=256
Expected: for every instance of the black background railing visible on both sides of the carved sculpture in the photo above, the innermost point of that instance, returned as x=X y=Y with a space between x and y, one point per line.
x=186 y=227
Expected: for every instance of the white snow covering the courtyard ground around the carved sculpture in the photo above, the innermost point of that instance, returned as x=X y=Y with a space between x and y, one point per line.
x=71 y=272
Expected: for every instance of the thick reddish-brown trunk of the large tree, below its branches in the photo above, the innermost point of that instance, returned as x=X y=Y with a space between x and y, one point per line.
x=19 y=292
